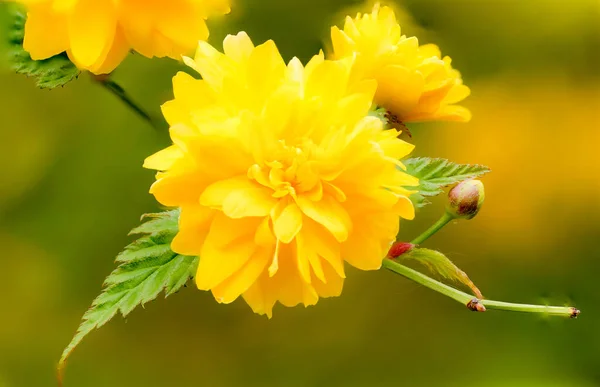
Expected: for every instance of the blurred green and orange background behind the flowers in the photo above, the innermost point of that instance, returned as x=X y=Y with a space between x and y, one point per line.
x=72 y=186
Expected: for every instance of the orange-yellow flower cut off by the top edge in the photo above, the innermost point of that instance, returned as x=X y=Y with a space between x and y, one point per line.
x=98 y=34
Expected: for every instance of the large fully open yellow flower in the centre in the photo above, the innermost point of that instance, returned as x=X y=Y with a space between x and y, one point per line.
x=279 y=173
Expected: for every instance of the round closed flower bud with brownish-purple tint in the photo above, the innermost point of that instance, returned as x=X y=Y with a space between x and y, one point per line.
x=465 y=199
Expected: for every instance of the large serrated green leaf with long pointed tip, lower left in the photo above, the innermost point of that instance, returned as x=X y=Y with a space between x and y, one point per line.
x=146 y=268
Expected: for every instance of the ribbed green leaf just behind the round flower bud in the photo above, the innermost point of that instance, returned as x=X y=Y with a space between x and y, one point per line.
x=435 y=174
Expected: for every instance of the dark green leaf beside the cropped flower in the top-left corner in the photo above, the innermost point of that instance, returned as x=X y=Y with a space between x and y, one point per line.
x=49 y=73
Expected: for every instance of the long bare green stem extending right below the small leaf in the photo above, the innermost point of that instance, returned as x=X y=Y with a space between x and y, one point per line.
x=471 y=302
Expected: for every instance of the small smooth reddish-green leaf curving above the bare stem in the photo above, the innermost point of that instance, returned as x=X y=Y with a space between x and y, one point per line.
x=438 y=263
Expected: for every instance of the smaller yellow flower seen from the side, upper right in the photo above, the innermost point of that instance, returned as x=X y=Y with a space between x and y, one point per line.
x=414 y=82
